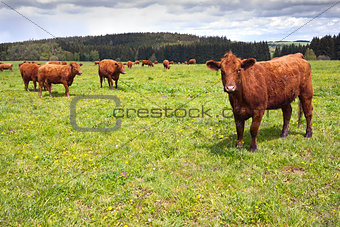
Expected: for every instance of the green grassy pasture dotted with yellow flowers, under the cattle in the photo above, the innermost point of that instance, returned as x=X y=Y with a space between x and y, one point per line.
x=163 y=170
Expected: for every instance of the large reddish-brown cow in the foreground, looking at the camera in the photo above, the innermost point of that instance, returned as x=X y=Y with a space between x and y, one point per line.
x=254 y=87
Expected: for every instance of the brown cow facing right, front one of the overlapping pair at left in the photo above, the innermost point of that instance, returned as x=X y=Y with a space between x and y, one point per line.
x=58 y=74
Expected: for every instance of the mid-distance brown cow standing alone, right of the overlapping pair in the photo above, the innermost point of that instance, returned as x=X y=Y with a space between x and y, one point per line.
x=111 y=70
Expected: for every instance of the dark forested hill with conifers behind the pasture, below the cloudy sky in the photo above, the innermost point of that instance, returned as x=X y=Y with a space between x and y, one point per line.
x=133 y=46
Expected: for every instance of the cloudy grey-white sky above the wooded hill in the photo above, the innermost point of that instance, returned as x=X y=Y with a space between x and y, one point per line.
x=253 y=20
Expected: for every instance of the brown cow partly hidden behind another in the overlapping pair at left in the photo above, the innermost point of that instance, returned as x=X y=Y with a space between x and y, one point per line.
x=29 y=72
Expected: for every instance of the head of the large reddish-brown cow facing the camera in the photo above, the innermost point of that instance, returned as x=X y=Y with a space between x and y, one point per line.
x=232 y=68
